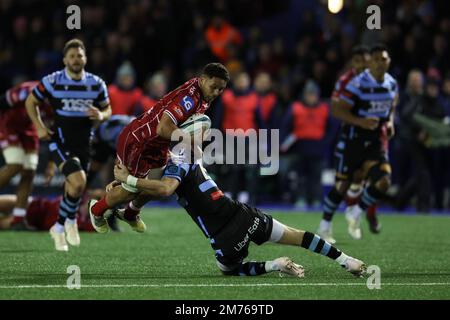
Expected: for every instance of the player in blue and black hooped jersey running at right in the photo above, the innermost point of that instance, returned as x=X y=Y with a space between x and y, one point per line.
x=366 y=107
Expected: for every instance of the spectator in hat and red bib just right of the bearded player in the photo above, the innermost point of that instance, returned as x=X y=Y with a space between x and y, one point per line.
x=125 y=96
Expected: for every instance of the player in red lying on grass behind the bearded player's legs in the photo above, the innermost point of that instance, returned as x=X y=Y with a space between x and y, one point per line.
x=42 y=213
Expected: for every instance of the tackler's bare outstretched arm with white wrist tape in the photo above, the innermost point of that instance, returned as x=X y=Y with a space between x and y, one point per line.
x=158 y=188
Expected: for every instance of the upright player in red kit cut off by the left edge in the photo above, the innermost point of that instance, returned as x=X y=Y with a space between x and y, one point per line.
x=20 y=146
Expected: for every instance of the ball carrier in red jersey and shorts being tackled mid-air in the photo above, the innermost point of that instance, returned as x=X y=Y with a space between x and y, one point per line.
x=143 y=145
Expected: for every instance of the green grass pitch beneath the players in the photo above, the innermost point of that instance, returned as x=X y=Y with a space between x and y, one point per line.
x=173 y=260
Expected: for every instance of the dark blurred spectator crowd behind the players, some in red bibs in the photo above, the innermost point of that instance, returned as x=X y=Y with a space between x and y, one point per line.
x=284 y=57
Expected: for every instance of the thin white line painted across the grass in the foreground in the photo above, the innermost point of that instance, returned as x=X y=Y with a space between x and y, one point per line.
x=181 y=285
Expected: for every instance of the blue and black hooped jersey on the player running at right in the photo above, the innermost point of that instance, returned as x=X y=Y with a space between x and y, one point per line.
x=369 y=98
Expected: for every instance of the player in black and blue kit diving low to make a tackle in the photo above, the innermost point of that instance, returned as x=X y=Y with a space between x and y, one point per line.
x=230 y=225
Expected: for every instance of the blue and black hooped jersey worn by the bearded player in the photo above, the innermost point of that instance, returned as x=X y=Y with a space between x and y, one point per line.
x=70 y=100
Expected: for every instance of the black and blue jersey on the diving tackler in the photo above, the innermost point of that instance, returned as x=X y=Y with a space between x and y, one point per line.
x=201 y=198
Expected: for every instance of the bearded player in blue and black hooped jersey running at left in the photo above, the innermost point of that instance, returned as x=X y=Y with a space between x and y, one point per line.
x=80 y=100
